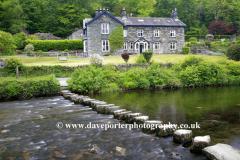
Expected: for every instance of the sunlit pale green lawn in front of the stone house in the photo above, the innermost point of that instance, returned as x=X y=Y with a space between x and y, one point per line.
x=50 y=61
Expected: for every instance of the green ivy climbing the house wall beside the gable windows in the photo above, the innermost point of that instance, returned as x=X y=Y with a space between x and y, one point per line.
x=116 y=38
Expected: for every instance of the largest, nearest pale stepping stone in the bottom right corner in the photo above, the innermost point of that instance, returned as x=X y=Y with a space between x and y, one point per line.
x=221 y=152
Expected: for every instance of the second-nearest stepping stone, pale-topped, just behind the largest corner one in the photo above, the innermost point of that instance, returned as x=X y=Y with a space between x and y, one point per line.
x=199 y=143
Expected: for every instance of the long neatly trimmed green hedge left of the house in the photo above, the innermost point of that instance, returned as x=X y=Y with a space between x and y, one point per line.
x=56 y=44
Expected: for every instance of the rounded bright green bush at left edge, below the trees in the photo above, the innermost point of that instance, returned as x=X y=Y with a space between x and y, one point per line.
x=7 y=46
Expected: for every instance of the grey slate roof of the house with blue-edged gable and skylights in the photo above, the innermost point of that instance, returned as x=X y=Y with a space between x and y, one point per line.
x=145 y=21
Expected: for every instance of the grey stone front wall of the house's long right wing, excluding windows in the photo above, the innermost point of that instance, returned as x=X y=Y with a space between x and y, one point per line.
x=164 y=38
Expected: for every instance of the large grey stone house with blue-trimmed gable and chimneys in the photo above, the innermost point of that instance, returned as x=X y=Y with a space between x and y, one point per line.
x=162 y=35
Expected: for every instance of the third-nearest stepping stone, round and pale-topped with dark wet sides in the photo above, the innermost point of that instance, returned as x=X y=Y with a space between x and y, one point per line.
x=182 y=136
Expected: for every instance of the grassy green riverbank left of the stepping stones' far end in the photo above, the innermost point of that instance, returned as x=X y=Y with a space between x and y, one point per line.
x=12 y=88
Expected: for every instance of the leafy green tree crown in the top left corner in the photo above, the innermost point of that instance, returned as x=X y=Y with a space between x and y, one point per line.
x=14 y=20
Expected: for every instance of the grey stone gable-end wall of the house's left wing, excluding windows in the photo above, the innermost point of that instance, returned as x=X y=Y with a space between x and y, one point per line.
x=95 y=36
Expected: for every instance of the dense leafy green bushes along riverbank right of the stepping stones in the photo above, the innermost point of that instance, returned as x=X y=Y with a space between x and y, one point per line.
x=191 y=72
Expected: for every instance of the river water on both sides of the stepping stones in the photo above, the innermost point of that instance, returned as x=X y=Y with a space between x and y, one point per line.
x=34 y=135
